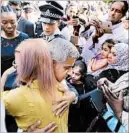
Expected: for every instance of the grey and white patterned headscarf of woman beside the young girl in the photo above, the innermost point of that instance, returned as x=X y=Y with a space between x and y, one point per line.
x=122 y=57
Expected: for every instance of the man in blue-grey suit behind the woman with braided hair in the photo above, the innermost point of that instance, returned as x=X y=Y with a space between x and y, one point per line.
x=23 y=24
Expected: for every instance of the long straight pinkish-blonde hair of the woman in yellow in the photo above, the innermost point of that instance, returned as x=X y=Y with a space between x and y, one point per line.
x=35 y=63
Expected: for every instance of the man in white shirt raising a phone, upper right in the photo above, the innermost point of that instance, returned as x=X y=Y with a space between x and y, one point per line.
x=116 y=13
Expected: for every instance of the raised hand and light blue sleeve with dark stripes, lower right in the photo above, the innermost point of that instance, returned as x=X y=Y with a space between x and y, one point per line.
x=113 y=115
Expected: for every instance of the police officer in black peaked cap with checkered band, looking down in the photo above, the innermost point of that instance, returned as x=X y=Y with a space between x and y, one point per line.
x=50 y=18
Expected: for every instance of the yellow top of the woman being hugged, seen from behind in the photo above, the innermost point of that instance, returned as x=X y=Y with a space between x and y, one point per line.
x=28 y=106
